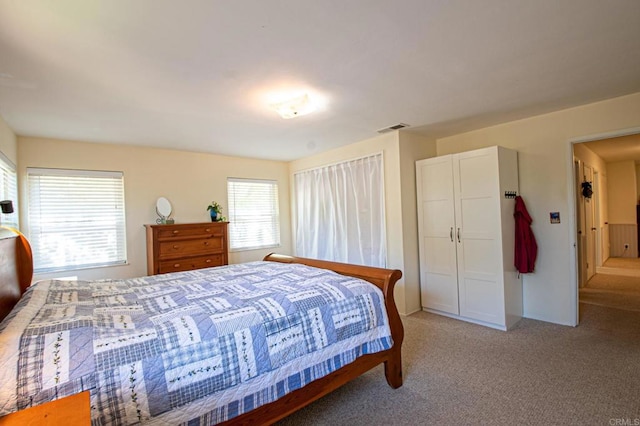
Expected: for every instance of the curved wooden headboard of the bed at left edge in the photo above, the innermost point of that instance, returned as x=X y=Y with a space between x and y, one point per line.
x=16 y=268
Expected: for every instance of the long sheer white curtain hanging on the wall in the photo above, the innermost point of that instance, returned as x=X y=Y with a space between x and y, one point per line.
x=340 y=212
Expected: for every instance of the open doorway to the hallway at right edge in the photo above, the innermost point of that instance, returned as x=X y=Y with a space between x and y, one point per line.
x=608 y=267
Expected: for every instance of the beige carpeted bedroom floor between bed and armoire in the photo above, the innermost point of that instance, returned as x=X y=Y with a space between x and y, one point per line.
x=539 y=373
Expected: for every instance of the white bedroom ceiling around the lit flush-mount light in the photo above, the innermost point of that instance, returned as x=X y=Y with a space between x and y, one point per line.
x=199 y=75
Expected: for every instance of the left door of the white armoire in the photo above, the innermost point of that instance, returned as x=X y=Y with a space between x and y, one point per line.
x=438 y=272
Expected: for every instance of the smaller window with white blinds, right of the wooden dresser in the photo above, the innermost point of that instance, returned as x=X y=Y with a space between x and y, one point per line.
x=254 y=221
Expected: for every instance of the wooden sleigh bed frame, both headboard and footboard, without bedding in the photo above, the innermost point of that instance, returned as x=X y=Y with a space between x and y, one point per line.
x=16 y=272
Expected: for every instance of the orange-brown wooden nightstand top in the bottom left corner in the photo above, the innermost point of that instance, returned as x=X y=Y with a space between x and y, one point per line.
x=70 y=411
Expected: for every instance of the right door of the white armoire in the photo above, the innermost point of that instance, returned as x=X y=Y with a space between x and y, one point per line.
x=478 y=237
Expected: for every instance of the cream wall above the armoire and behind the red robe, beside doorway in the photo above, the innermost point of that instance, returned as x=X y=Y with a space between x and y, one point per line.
x=546 y=184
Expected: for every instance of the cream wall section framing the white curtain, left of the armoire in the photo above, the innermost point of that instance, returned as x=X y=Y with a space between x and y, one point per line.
x=398 y=157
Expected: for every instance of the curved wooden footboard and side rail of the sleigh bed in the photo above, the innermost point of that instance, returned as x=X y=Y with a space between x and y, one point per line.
x=385 y=279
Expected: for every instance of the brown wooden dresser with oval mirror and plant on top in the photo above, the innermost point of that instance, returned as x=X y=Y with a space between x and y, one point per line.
x=184 y=247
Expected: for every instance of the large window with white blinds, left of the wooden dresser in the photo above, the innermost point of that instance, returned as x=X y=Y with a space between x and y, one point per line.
x=76 y=218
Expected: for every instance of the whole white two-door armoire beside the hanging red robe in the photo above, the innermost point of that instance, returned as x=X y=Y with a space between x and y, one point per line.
x=466 y=233
